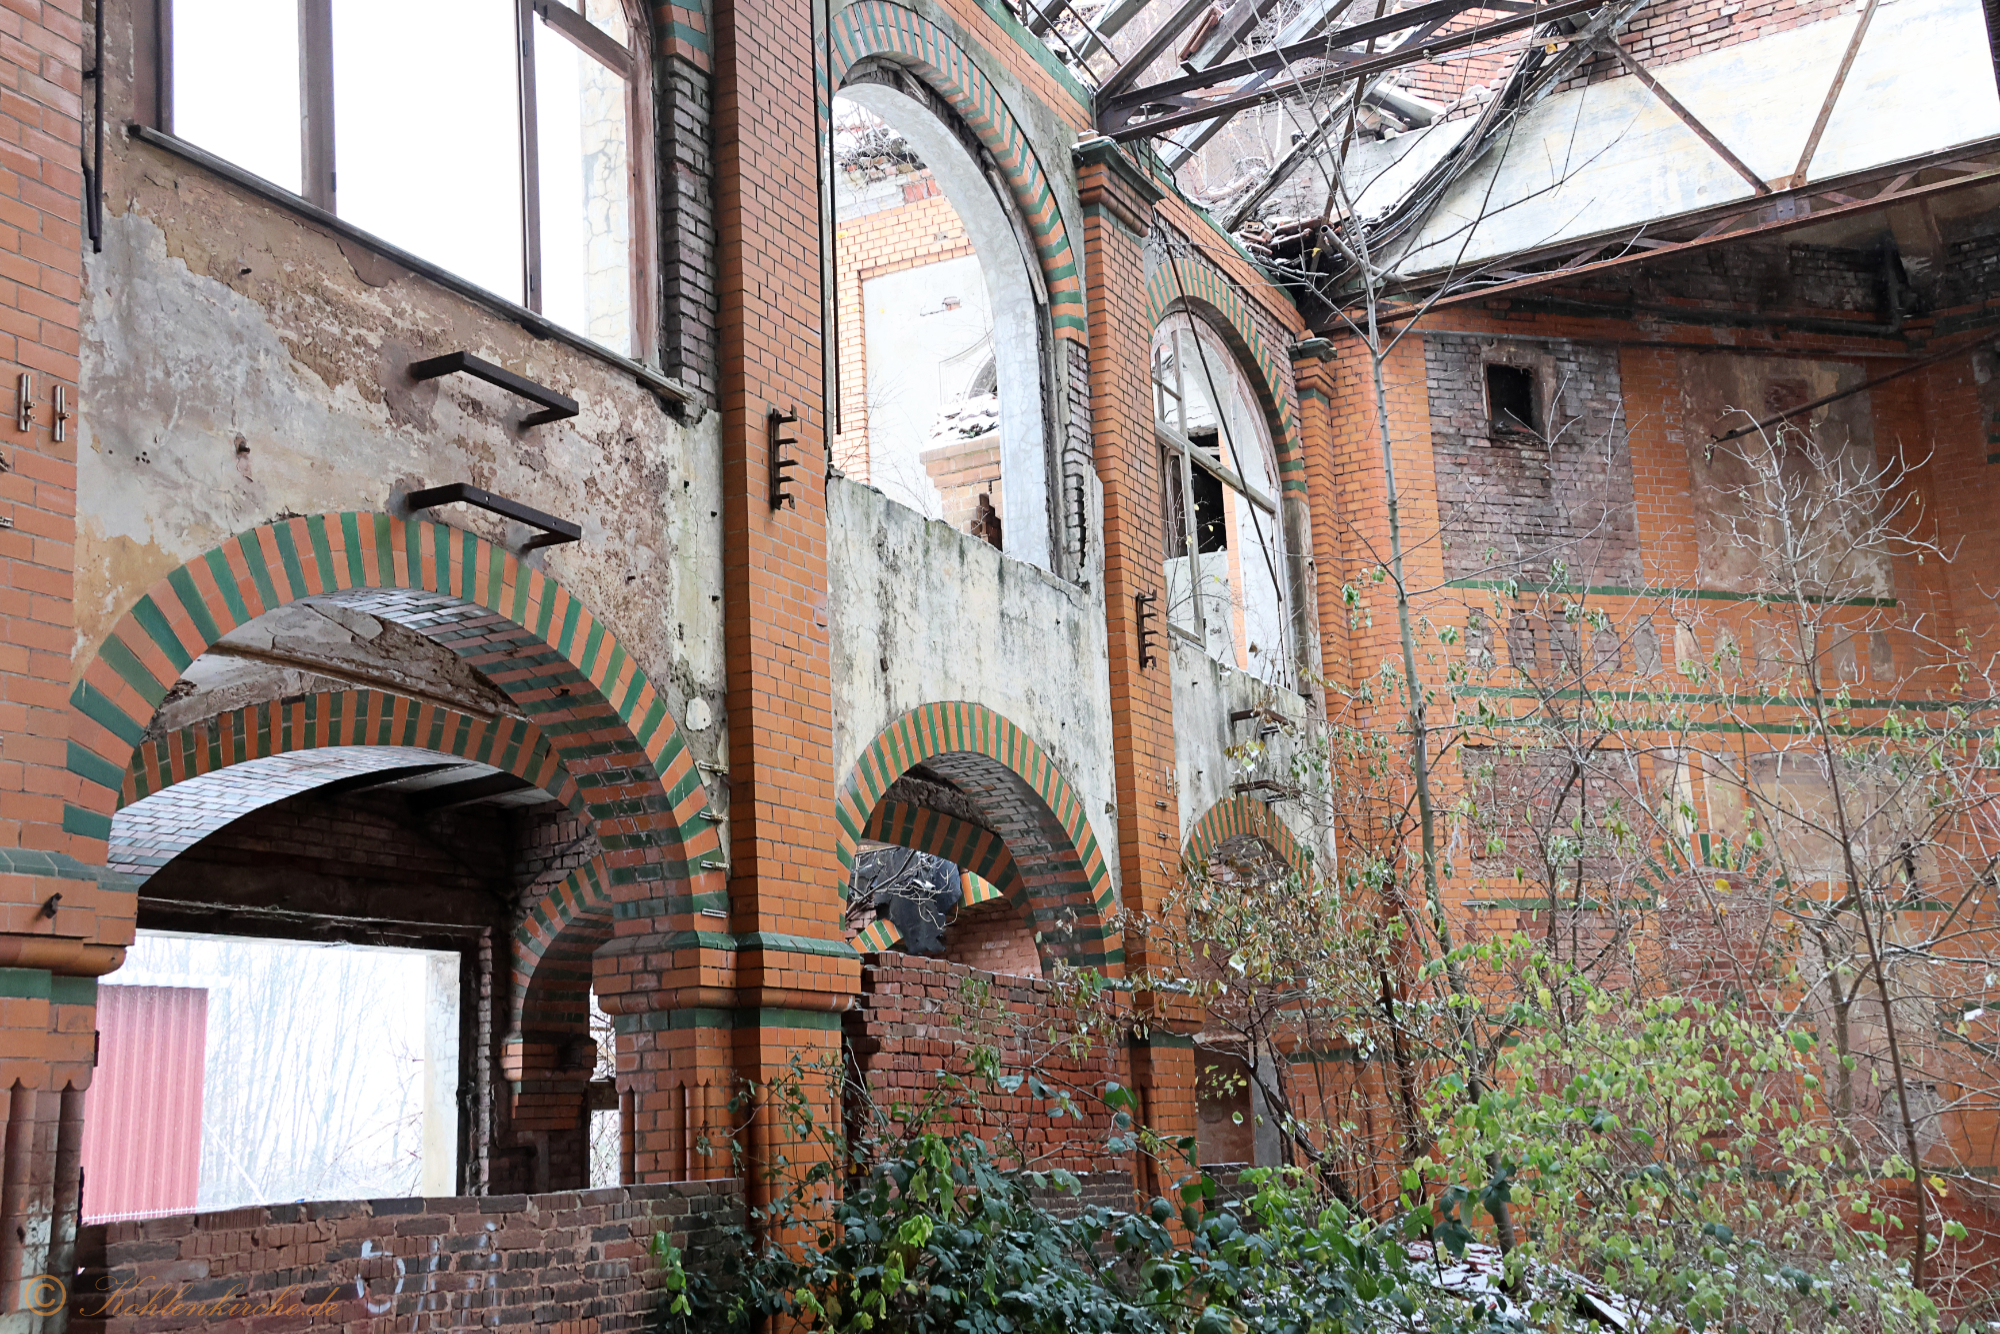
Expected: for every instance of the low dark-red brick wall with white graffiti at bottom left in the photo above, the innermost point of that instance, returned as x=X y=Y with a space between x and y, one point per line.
x=577 y=1263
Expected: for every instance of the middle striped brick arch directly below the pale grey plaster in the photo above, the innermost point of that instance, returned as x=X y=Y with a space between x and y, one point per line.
x=1025 y=797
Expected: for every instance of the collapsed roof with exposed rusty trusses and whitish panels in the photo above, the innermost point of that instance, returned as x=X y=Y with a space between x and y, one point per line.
x=1477 y=143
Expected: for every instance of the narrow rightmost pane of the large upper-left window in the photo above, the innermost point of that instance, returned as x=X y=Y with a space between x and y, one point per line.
x=587 y=193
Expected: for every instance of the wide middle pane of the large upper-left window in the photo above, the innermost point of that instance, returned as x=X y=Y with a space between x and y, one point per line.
x=427 y=133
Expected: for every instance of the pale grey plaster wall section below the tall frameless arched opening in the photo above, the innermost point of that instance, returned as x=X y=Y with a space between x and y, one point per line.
x=923 y=613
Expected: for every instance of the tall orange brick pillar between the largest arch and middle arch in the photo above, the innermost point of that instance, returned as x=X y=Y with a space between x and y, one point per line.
x=793 y=971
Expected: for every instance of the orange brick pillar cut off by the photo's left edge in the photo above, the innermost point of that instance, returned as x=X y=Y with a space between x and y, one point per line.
x=59 y=927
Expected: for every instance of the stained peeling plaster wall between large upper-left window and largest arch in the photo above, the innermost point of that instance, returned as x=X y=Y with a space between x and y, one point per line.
x=241 y=365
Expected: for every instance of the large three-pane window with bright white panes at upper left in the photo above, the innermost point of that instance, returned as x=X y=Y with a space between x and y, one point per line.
x=509 y=161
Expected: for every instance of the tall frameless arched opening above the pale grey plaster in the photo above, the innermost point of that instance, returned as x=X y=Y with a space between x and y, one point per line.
x=941 y=327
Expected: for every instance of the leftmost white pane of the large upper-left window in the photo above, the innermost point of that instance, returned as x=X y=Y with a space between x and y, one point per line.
x=237 y=85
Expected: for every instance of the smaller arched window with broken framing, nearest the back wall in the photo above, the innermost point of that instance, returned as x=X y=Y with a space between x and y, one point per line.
x=1225 y=553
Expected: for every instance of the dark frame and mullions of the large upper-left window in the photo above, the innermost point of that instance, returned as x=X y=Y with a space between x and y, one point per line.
x=319 y=159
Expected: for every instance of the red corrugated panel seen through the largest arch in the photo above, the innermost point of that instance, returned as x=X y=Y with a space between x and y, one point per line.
x=143 y=1119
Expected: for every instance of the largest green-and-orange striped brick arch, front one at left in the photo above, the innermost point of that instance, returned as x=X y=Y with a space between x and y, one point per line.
x=567 y=673
